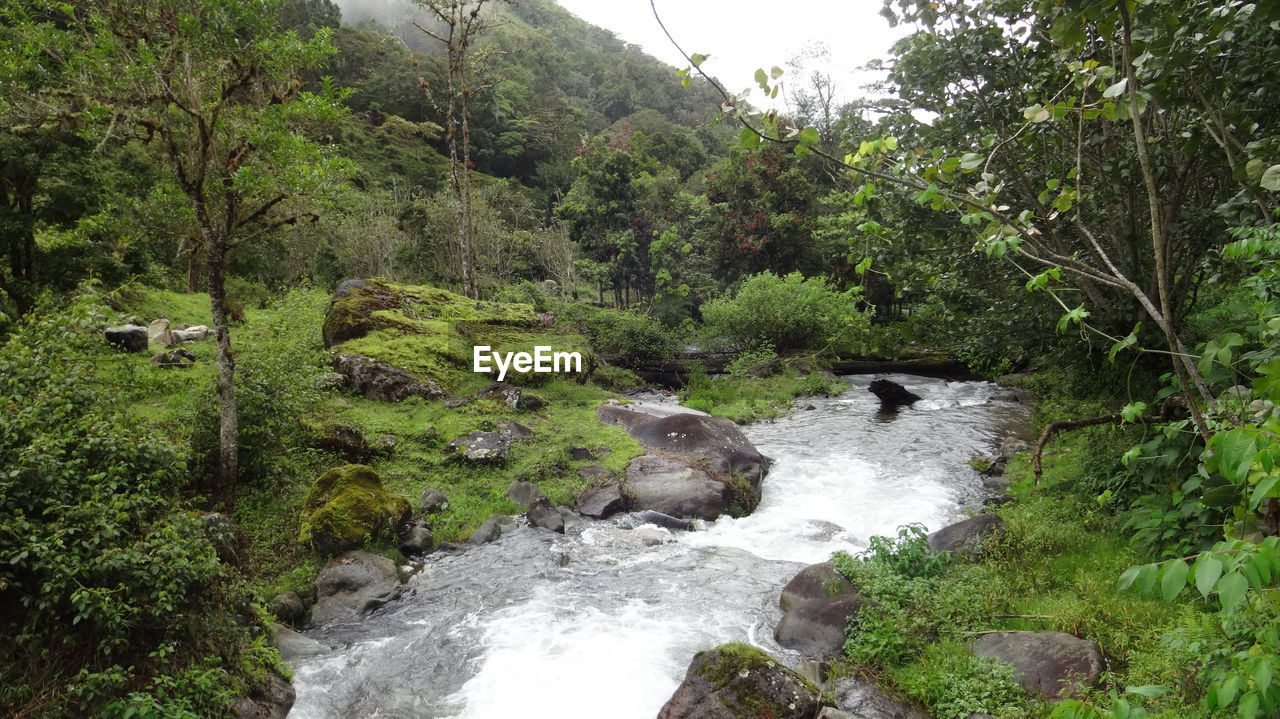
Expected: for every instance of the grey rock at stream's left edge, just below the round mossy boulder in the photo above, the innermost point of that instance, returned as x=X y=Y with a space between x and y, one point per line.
x=354 y=584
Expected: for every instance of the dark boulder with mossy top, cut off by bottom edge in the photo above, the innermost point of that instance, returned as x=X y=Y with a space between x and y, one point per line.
x=739 y=681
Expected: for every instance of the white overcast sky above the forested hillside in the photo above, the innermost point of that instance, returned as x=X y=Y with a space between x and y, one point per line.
x=744 y=35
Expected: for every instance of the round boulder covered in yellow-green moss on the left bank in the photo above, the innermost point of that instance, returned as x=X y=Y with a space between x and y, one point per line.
x=349 y=505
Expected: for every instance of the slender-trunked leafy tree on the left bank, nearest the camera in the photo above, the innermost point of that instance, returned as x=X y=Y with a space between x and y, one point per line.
x=212 y=89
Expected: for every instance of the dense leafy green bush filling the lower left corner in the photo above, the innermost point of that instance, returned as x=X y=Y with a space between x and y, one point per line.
x=111 y=584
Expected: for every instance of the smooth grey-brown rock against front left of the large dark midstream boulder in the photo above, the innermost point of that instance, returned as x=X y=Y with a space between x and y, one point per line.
x=675 y=488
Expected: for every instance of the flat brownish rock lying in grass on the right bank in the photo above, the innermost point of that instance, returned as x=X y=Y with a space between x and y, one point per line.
x=1049 y=665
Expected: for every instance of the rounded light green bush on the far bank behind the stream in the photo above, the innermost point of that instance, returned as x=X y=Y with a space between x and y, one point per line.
x=789 y=313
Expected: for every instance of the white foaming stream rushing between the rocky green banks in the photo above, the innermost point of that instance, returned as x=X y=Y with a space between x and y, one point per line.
x=604 y=620
